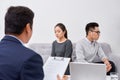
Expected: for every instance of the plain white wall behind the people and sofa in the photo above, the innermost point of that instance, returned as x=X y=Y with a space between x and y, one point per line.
x=75 y=14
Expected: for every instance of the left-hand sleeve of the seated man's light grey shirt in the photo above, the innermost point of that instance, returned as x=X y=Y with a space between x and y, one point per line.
x=80 y=53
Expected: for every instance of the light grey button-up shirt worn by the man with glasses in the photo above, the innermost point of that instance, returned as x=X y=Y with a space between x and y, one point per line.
x=87 y=51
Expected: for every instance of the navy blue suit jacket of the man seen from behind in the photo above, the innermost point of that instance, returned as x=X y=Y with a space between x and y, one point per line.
x=18 y=62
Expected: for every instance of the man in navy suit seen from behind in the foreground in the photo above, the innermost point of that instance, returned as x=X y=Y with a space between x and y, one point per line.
x=16 y=61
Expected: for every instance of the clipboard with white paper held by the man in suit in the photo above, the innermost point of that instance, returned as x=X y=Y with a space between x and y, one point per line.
x=54 y=66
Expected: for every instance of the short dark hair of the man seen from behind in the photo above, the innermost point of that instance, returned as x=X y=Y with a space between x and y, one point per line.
x=16 y=19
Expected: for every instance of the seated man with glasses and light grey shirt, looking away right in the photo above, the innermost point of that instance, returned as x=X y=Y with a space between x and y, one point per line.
x=89 y=50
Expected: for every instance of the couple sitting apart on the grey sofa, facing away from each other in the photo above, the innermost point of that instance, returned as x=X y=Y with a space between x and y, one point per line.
x=87 y=49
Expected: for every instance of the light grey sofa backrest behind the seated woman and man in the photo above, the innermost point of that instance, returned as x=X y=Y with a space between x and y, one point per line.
x=44 y=49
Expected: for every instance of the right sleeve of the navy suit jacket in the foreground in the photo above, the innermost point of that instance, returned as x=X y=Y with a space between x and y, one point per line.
x=33 y=69
